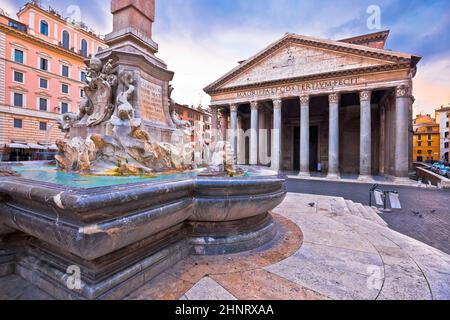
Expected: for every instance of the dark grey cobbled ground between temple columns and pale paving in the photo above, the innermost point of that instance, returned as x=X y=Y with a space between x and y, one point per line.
x=425 y=215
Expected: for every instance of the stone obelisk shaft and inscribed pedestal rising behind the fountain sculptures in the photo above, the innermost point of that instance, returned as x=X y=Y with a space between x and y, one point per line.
x=132 y=50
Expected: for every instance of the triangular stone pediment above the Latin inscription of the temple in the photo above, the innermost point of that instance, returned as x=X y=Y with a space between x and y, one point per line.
x=296 y=56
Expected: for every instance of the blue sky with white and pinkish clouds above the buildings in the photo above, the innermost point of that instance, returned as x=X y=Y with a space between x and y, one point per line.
x=201 y=40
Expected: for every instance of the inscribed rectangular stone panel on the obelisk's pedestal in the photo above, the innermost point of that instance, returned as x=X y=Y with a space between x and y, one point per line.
x=151 y=102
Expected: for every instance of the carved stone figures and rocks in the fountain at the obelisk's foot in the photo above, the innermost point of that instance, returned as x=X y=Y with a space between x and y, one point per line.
x=117 y=143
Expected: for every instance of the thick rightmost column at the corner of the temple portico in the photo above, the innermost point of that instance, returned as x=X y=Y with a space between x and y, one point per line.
x=402 y=105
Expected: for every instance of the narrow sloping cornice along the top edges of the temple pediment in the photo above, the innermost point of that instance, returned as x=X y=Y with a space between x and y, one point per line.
x=382 y=54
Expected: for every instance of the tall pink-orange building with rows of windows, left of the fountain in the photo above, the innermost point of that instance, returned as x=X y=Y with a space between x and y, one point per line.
x=42 y=69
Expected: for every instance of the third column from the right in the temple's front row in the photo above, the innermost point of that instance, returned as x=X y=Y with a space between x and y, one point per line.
x=333 y=140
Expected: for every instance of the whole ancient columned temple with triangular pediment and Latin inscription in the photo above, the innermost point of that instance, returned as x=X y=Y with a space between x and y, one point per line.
x=308 y=104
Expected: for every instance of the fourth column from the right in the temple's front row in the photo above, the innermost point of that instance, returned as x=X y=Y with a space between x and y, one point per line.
x=304 y=136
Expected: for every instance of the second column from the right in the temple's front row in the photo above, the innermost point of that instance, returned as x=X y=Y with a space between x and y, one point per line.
x=365 y=149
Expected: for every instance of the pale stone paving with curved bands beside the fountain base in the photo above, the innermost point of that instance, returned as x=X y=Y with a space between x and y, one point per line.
x=327 y=248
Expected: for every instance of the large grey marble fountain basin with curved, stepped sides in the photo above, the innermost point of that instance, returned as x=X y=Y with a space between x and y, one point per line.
x=122 y=235
